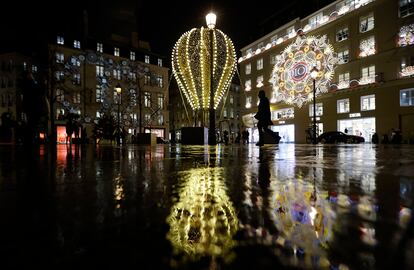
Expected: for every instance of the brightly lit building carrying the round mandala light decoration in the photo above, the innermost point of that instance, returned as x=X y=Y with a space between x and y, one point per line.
x=372 y=89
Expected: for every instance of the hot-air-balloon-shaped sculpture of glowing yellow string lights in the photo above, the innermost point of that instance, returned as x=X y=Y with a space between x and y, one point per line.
x=191 y=61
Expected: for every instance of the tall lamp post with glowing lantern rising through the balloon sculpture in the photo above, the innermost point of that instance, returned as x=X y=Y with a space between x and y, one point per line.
x=211 y=23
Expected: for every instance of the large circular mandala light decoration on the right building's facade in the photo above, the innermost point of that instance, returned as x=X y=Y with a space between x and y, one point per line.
x=291 y=78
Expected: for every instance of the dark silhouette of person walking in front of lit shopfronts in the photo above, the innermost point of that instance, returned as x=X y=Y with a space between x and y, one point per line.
x=263 y=115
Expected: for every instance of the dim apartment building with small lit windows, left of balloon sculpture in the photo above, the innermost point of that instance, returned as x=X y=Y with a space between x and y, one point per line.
x=84 y=81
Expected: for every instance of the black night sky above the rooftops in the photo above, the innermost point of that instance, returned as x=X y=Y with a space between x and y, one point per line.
x=159 y=22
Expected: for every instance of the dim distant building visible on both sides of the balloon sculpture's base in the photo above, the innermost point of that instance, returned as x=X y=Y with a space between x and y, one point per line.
x=228 y=114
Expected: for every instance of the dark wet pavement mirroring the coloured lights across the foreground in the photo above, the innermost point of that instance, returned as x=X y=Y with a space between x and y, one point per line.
x=198 y=207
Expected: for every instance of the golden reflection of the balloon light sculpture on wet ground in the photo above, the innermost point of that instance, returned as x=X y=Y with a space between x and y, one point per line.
x=203 y=221
